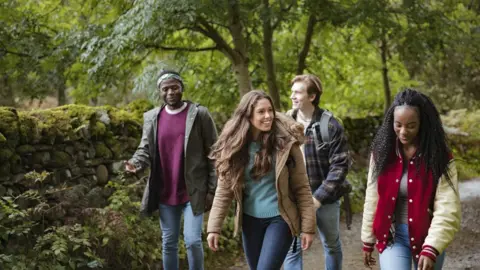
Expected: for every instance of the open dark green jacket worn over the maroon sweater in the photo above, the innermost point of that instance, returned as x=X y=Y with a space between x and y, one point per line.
x=199 y=170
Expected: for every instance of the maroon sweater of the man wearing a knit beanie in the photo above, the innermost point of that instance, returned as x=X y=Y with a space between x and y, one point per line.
x=171 y=136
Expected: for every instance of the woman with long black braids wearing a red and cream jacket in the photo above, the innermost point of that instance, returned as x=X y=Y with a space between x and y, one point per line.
x=412 y=207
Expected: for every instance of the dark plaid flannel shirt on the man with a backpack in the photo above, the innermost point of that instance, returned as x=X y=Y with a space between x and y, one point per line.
x=327 y=166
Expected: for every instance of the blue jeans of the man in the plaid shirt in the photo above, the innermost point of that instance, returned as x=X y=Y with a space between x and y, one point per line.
x=328 y=226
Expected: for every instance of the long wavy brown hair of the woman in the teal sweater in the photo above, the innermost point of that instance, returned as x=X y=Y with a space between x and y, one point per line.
x=230 y=152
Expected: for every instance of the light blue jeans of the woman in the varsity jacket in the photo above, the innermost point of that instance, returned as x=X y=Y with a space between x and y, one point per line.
x=399 y=256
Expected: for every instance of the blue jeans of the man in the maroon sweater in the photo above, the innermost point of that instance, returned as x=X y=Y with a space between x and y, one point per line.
x=170 y=217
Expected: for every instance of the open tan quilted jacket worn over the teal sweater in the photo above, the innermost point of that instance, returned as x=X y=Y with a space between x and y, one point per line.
x=294 y=193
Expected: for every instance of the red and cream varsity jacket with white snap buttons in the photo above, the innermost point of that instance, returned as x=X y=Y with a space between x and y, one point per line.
x=430 y=230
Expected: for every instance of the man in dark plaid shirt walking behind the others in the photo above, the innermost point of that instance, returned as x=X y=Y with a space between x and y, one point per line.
x=327 y=166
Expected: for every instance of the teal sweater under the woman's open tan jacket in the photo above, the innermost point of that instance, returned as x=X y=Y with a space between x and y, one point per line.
x=260 y=196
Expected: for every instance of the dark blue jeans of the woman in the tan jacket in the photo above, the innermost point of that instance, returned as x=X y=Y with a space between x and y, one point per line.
x=265 y=241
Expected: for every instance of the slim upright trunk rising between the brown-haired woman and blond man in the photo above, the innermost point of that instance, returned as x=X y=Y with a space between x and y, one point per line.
x=268 y=55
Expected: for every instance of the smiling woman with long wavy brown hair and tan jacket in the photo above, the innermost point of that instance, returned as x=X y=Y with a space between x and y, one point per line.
x=260 y=165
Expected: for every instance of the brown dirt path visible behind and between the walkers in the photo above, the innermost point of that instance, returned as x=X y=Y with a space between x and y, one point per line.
x=463 y=253
